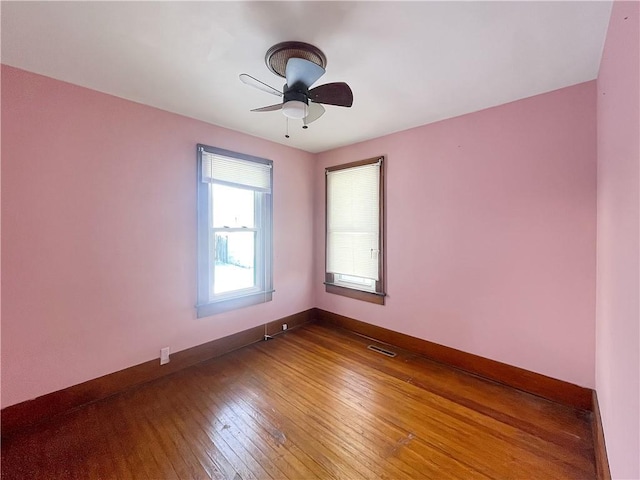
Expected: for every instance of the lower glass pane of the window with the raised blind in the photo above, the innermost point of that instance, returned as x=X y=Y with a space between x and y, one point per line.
x=234 y=267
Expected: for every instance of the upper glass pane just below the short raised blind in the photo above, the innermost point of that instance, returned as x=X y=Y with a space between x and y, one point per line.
x=232 y=207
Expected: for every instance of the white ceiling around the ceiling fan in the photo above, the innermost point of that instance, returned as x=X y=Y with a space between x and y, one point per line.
x=408 y=63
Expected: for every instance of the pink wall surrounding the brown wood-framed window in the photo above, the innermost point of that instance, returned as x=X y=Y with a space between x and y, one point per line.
x=490 y=233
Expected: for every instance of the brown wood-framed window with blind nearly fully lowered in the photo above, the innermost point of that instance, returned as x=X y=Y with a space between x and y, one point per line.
x=354 y=230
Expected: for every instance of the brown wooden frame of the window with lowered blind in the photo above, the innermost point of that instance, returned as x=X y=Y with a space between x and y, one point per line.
x=332 y=284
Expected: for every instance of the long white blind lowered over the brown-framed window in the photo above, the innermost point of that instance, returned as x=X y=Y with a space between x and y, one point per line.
x=353 y=213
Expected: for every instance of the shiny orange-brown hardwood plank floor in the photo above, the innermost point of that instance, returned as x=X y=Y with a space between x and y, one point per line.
x=312 y=403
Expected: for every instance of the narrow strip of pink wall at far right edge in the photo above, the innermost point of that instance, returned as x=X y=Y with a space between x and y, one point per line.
x=618 y=284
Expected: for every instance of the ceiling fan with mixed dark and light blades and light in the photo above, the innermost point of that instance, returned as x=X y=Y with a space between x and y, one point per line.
x=302 y=65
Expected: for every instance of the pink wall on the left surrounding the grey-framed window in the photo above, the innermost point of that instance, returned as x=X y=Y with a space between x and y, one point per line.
x=99 y=234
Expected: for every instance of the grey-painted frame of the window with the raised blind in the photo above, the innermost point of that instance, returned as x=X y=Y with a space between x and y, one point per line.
x=208 y=304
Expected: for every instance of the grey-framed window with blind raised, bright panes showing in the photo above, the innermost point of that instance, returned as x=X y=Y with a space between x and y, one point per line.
x=234 y=230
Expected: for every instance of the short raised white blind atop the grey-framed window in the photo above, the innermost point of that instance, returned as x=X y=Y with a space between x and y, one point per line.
x=236 y=172
